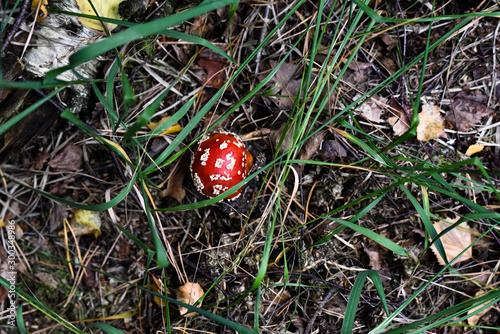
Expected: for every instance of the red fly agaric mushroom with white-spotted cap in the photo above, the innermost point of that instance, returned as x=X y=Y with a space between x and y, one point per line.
x=219 y=162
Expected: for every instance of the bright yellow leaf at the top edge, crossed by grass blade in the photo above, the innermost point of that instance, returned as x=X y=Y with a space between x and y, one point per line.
x=105 y=8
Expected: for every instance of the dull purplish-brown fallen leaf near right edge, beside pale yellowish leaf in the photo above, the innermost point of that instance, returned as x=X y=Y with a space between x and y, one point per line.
x=467 y=111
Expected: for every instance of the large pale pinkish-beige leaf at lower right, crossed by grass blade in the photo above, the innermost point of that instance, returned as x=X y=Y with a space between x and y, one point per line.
x=454 y=241
